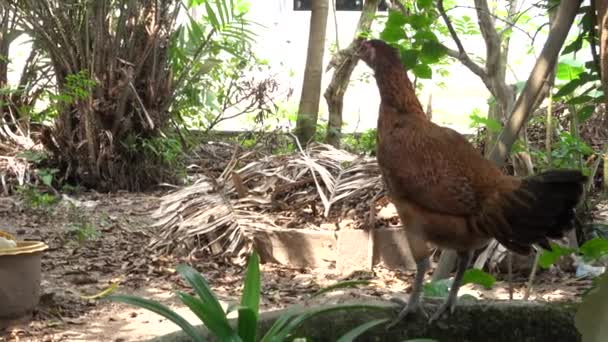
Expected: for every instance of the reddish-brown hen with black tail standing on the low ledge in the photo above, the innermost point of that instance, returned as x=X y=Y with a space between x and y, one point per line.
x=447 y=194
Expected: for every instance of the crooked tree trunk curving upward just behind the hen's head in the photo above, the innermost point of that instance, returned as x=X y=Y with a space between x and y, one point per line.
x=344 y=62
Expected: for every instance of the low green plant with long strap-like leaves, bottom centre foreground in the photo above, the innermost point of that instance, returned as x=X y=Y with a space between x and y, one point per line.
x=208 y=309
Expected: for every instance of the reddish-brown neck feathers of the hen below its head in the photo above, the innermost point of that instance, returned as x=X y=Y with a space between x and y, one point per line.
x=396 y=90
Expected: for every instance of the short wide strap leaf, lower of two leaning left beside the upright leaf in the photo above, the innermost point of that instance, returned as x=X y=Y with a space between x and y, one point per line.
x=217 y=324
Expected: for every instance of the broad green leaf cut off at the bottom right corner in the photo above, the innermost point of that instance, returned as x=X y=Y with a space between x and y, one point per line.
x=592 y=315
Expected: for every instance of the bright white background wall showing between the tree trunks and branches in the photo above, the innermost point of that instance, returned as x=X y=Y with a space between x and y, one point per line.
x=284 y=43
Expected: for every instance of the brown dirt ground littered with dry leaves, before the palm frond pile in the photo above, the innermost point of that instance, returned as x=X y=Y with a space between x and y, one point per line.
x=96 y=240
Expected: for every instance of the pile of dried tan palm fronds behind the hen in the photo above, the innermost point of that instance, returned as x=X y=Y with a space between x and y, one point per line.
x=316 y=188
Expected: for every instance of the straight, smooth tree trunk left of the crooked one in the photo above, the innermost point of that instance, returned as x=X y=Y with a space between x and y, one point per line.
x=308 y=111
